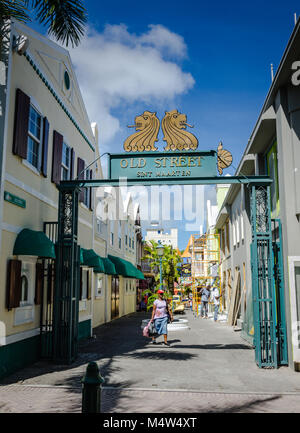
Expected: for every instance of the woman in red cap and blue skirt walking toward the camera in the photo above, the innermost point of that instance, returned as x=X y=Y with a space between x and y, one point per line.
x=160 y=317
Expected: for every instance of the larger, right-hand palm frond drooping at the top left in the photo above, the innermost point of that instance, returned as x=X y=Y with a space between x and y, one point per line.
x=65 y=19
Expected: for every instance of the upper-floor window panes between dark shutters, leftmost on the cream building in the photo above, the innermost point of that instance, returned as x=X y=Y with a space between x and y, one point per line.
x=34 y=147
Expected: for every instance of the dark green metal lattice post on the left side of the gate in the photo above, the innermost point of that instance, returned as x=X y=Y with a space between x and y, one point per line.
x=66 y=293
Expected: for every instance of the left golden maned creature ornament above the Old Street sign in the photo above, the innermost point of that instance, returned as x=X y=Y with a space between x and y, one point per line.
x=147 y=126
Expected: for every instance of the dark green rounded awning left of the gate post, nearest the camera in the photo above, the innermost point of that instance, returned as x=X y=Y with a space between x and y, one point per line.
x=33 y=243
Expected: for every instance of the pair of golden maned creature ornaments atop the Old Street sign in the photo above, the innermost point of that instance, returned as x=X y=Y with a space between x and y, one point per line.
x=173 y=126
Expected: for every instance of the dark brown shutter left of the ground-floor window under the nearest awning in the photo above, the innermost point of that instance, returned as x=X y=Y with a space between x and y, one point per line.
x=14 y=289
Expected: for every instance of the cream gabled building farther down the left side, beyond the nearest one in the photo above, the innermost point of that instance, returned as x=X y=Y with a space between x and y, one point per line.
x=116 y=216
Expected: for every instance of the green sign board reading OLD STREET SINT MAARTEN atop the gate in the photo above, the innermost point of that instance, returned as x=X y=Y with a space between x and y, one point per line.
x=163 y=165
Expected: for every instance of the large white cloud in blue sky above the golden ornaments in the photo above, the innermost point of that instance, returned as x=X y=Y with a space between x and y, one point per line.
x=118 y=67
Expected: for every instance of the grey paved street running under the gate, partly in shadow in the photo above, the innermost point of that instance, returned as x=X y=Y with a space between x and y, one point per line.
x=207 y=368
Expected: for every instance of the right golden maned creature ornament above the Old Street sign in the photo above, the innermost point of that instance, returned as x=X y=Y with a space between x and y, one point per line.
x=173 y=126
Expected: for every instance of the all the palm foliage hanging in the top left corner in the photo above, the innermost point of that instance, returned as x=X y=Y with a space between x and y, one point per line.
x=65 y=19
